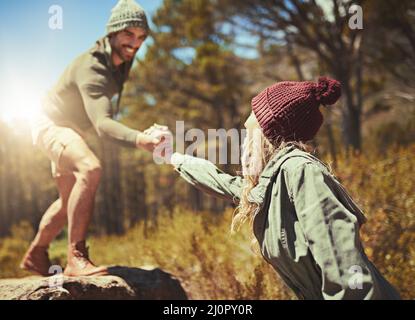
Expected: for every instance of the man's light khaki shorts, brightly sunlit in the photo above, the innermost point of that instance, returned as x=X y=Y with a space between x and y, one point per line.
x=52 y=140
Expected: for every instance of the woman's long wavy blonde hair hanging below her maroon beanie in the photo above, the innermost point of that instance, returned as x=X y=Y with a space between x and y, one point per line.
x=246 y=210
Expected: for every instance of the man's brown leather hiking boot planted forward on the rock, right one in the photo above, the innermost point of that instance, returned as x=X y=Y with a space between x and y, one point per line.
x=79 y=263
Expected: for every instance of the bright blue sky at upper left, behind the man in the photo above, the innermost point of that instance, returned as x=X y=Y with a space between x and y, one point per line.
x=33 y=56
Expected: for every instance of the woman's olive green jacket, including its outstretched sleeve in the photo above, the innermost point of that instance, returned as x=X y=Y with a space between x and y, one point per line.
x=307 y=225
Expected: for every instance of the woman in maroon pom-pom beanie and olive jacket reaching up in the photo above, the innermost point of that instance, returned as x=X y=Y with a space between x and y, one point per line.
x=305 y=222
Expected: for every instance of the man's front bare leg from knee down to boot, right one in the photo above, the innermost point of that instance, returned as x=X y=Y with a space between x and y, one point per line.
x=78 y=158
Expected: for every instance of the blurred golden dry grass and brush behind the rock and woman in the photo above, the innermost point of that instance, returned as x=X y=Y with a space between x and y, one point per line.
x=198 y=249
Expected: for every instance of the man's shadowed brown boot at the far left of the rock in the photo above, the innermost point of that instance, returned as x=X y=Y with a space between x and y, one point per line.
x=36 y=260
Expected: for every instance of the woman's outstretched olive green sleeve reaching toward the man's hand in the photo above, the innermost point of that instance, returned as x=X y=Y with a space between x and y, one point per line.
x=205 y=176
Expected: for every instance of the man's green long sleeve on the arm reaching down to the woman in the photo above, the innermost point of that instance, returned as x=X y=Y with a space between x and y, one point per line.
x=98 y=107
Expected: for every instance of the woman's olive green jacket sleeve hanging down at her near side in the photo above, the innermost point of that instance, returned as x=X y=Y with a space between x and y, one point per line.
x=332 y=233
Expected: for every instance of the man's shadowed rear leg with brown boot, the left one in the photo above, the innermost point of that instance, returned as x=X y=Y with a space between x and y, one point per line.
x=36 y=258
